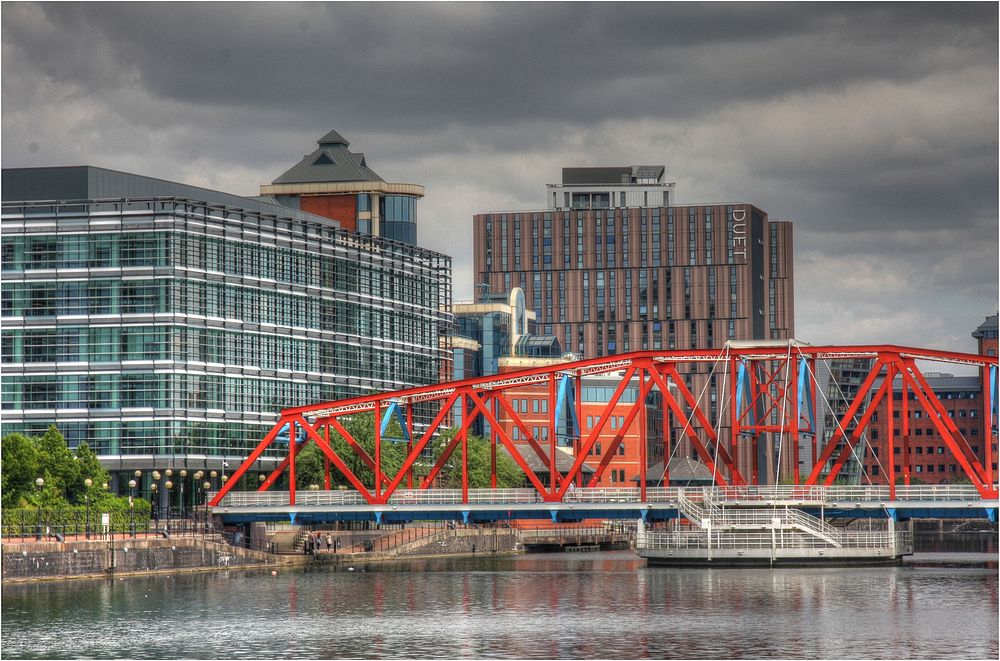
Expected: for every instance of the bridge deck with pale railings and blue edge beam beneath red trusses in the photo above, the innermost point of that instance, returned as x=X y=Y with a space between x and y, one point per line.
x=953 y=501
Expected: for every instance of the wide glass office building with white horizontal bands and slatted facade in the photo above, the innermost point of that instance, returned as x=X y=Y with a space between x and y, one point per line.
x=167 y=325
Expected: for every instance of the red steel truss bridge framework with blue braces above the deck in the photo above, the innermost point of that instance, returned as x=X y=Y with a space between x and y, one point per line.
x=771 y=388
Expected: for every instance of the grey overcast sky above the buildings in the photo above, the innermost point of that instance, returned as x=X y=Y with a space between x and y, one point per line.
x=872 y=126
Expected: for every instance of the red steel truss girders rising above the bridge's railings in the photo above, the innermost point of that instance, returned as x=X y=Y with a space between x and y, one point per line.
x=772 y=390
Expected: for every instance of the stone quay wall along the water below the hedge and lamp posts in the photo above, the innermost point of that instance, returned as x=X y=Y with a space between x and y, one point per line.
x=97 y=558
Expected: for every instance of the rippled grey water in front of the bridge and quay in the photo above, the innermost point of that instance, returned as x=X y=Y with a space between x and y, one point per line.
x=599 y=605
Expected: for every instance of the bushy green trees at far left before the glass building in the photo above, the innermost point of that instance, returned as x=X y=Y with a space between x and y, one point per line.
x=47 y=456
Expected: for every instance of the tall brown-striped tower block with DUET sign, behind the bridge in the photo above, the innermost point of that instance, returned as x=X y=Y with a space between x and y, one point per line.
x=614 y=265
